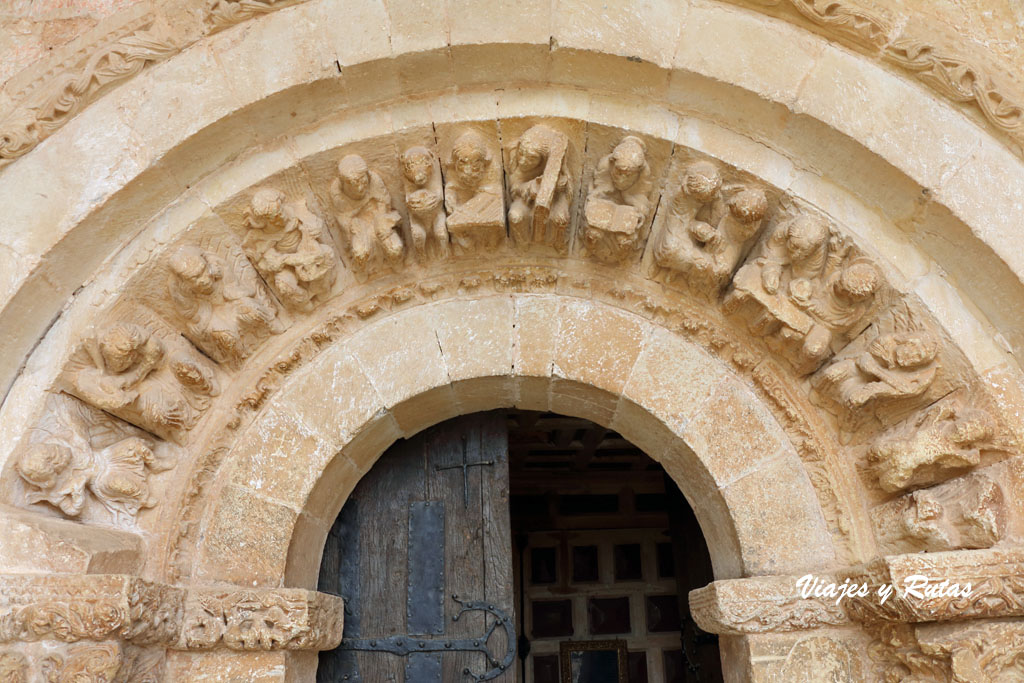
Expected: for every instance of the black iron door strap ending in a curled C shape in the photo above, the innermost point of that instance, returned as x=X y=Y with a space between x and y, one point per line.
x=406 y=646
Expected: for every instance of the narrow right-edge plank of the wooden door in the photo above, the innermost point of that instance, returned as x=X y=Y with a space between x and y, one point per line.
x=492 y=445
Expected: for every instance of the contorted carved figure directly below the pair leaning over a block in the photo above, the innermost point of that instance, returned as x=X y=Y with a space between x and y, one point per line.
x=897 y=366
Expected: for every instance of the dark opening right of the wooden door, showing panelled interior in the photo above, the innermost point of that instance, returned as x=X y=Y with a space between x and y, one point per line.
x=607 y=550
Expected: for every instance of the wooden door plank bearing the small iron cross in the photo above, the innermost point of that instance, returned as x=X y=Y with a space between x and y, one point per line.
x=464 y=548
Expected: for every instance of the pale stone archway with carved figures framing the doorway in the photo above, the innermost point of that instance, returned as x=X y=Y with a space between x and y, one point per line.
x=149 y=536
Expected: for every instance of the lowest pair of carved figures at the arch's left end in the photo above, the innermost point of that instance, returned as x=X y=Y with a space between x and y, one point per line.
x=117 y=476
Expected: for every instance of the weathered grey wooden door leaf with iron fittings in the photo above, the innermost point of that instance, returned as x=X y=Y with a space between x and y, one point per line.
x=421 y=553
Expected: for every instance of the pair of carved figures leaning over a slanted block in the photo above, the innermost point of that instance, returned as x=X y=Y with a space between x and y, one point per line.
x=805 y=292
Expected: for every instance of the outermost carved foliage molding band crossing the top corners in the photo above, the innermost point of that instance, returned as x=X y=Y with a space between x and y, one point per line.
x=118 y=58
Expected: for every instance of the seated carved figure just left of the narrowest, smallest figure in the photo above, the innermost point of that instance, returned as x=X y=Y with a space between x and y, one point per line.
x=370 y=225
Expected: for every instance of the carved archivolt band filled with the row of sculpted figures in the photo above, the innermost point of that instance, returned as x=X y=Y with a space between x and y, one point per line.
x=763 y=281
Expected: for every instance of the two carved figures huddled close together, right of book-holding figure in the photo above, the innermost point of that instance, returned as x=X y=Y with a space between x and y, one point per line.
x=705 y=236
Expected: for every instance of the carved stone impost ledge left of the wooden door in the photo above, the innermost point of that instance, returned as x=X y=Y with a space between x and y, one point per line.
x=70 y=609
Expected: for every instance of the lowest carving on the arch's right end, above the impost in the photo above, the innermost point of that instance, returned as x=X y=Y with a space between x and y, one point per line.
x=964 y=514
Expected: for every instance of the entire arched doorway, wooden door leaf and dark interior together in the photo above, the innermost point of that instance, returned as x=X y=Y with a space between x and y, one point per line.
x=519 y=547
